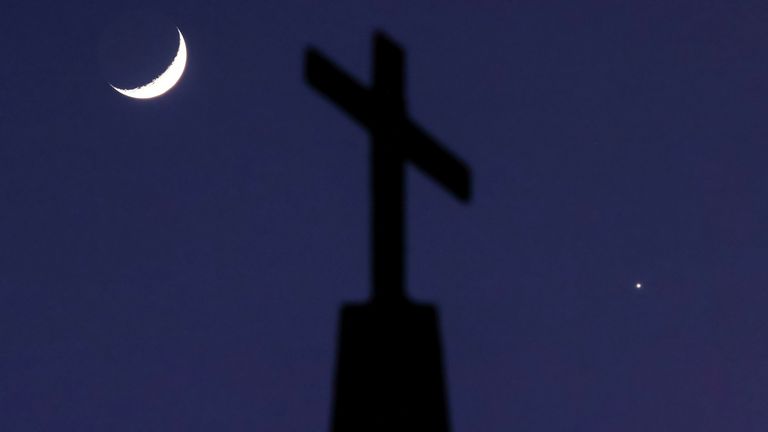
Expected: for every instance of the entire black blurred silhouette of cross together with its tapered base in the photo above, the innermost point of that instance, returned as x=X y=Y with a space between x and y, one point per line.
x=389 y=374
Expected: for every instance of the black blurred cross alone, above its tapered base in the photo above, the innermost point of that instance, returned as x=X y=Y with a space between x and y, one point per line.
x=396 y=140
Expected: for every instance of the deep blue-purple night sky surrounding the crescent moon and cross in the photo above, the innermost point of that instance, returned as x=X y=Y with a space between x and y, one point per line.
x=178 y=264
